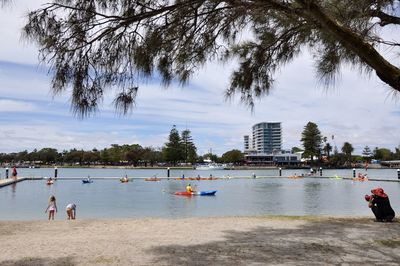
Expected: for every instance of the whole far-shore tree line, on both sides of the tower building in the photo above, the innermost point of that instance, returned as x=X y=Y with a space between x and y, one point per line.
x=180 y=150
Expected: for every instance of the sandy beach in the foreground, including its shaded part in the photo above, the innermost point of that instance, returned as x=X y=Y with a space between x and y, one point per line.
x=201 y=241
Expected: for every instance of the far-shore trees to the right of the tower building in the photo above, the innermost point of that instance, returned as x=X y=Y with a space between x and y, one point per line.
x=318 y=150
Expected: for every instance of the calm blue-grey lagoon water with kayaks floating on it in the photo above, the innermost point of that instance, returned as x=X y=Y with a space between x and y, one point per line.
x=109 y=198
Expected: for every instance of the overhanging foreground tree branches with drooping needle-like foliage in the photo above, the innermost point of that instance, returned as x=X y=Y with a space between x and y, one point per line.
x=95 y=45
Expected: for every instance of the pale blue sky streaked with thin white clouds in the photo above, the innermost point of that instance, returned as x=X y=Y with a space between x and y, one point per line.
x=359 y=109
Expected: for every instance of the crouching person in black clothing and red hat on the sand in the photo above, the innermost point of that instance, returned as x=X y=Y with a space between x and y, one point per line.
x=380 y=205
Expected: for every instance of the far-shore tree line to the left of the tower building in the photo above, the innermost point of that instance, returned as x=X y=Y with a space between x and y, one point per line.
x=178 y=150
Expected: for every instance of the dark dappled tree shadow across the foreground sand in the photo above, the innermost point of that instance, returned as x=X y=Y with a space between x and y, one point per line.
x=349 y=242
